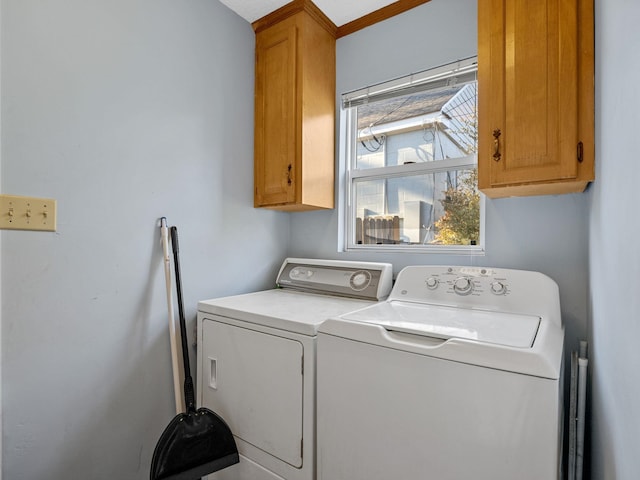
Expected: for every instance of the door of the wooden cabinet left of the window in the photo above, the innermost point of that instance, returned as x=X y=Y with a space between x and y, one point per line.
x=275 y=111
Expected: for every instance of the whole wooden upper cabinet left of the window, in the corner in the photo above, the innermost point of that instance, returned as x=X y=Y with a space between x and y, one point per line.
x=294 y=109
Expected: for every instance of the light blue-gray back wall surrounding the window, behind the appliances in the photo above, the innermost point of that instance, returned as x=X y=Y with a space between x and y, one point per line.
x=547 y=234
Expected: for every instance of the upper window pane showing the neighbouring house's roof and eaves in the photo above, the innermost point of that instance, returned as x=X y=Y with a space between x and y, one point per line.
x=420 y=127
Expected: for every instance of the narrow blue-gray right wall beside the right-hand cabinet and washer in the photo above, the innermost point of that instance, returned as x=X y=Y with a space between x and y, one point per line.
x=614 y=257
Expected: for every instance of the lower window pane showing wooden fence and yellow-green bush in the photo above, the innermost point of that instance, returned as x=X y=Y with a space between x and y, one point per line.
x=426 y=209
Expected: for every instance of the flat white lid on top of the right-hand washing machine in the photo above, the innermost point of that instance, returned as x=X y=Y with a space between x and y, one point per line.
x=512 y=330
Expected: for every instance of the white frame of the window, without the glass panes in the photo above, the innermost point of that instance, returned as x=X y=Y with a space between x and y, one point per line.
x=347 y=158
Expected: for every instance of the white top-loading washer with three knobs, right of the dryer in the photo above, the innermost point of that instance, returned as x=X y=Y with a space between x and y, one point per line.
x=458 y=375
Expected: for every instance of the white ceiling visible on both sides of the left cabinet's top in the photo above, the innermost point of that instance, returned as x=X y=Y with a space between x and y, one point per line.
x=339 y=11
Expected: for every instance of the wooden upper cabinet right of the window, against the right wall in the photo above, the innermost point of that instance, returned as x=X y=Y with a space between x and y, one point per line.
x=535 y=80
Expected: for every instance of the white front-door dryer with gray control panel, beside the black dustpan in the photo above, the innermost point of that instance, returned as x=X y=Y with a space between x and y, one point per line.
x=257 y=361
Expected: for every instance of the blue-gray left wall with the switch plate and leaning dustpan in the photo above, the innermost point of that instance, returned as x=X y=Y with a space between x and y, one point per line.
x=124 y=111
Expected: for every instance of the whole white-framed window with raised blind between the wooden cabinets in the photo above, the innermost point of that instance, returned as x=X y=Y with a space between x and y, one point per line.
x=410 y=148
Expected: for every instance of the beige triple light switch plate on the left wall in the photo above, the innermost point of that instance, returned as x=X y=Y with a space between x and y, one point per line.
x=27 y=213
